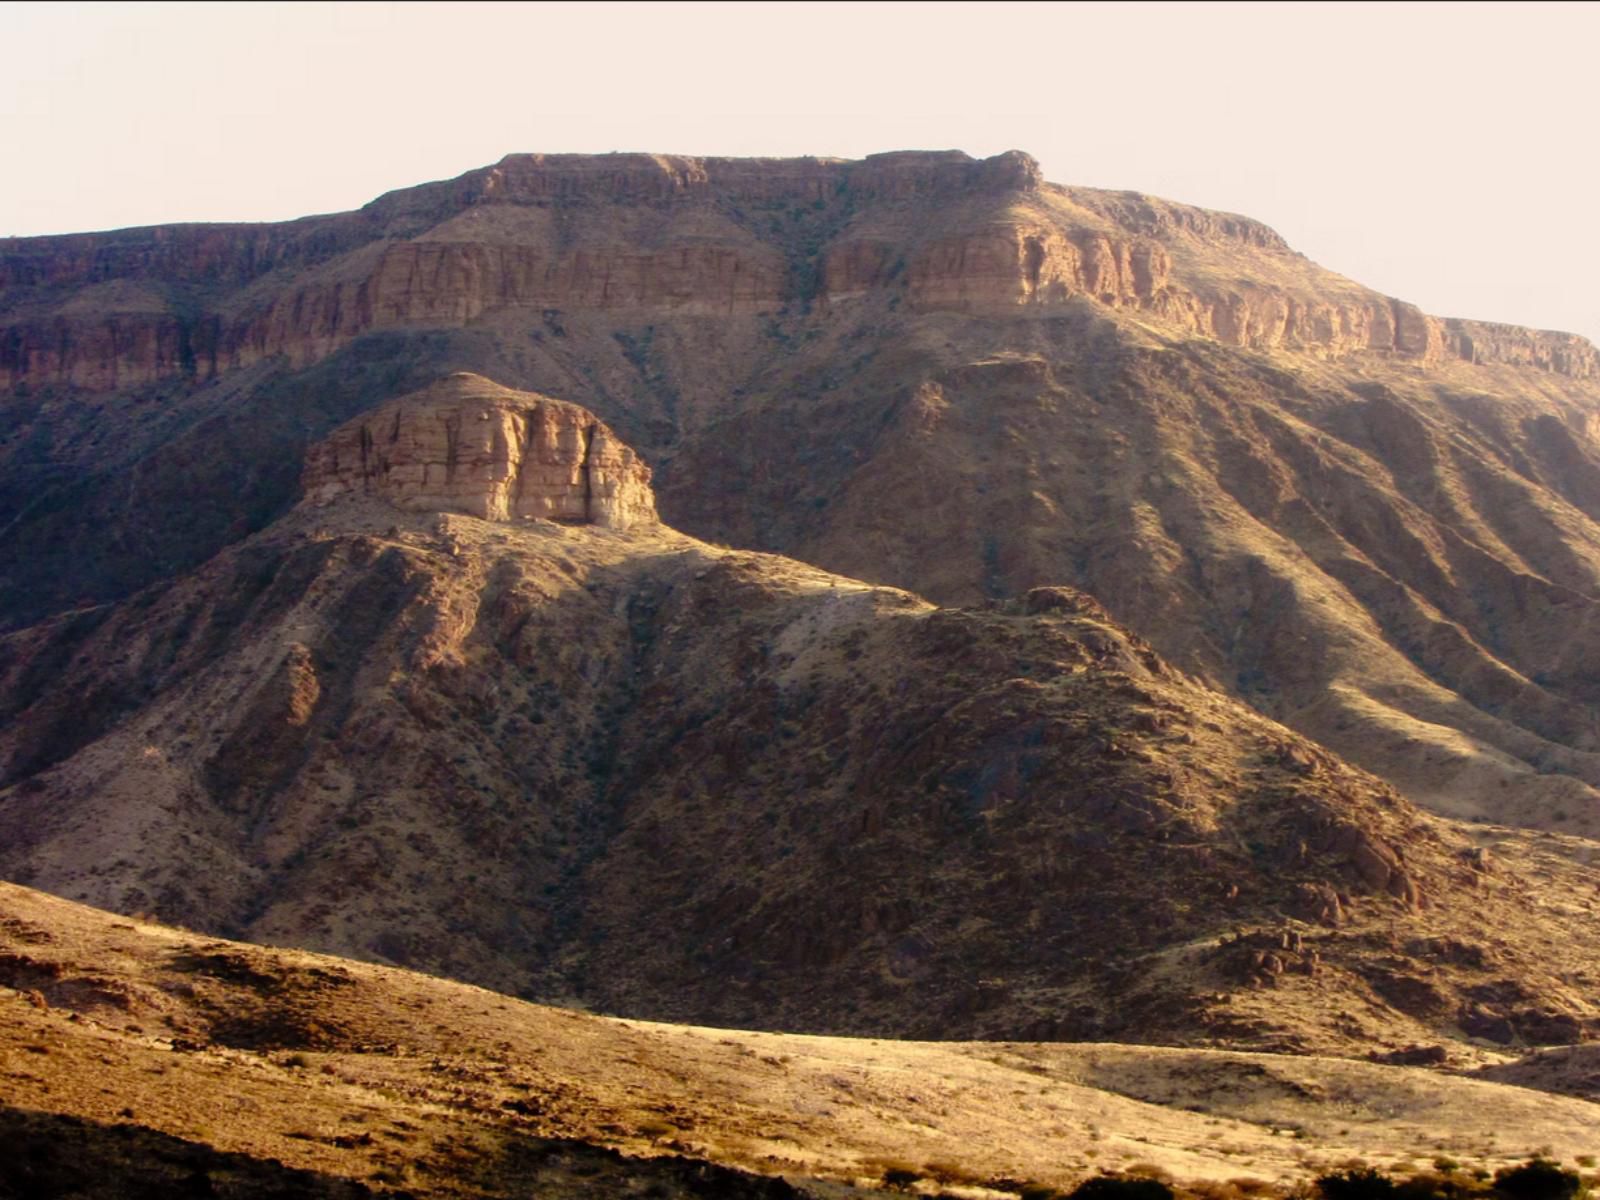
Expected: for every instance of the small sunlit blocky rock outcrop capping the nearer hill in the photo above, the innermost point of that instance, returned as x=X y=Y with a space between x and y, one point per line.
x=470 y=446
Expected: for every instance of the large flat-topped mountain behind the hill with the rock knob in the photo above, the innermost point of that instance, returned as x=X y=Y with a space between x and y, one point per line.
x=922 y=370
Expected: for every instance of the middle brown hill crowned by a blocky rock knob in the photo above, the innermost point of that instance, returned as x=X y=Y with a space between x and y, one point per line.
x=604 y=759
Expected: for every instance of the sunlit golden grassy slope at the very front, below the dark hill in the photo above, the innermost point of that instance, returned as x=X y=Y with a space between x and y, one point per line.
x=150 y=1049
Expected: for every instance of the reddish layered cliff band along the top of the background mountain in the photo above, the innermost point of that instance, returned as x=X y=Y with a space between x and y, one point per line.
x=649 y=236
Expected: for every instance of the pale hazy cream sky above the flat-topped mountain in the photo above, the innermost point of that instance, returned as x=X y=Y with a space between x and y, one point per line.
x=1439 y=153
